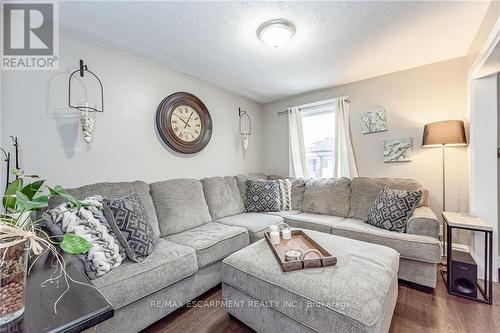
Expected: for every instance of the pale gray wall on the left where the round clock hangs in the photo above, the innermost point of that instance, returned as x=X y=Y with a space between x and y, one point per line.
x=125 y=146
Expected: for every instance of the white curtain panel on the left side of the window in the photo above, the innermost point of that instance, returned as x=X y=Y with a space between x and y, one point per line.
x=298 y=163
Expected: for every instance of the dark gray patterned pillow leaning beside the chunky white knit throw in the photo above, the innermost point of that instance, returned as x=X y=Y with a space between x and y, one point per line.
x=129 y=220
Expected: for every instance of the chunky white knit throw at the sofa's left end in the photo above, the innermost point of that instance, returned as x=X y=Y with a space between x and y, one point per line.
x=90 y=223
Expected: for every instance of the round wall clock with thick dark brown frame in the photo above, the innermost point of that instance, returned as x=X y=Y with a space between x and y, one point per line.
x=184 y=123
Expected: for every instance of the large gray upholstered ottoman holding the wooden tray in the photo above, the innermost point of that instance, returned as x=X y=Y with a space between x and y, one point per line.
x=356 y=295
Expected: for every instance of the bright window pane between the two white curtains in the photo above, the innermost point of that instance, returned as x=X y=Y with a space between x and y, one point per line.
x=319 y=140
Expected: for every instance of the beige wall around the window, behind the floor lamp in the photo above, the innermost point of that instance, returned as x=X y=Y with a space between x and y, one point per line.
x=412 y=98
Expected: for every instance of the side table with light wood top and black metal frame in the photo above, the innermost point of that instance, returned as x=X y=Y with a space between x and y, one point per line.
x=474 y=224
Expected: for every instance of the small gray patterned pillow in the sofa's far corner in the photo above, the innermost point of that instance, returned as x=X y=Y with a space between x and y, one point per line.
x=263 y=196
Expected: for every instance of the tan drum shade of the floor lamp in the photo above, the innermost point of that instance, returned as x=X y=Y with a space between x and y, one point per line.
x=448 y=132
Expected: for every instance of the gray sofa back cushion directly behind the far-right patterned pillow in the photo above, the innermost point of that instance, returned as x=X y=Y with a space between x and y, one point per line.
x=364 y=192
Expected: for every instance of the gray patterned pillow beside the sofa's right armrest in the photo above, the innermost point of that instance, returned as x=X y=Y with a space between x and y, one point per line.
x=392 y=209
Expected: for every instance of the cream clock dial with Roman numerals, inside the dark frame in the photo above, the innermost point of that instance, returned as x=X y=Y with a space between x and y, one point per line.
x=186 y=123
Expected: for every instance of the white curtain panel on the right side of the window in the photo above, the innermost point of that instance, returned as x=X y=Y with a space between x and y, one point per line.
x=345 y=163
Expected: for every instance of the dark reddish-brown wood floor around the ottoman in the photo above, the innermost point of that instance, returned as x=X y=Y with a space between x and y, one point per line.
x=416 y=311
